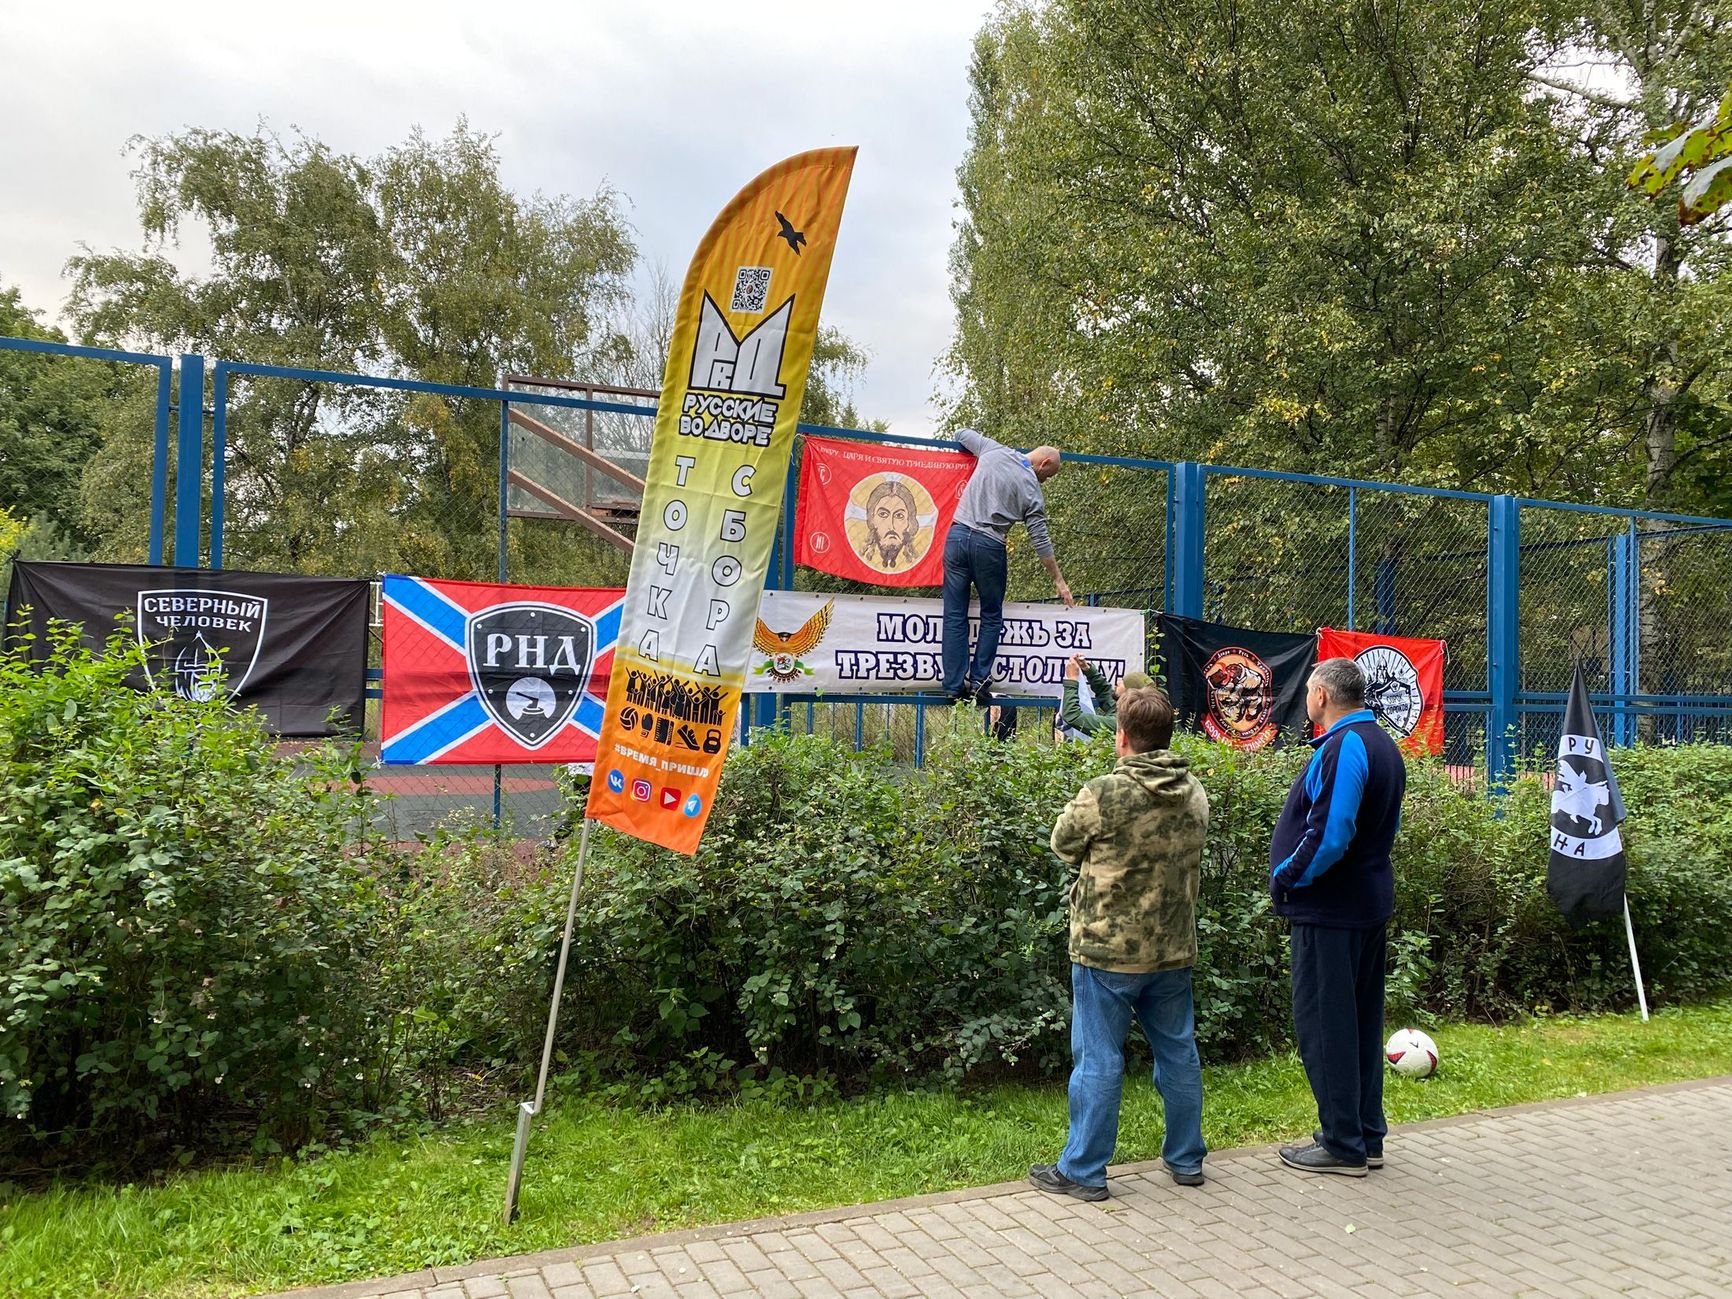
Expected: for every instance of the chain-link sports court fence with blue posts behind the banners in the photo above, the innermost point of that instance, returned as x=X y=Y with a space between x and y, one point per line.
x=540 y=482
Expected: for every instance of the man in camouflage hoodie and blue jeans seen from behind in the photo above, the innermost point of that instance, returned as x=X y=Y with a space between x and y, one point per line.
x=1137 y=843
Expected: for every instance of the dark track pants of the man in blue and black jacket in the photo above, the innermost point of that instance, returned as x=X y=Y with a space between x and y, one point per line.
x=1340 y=1023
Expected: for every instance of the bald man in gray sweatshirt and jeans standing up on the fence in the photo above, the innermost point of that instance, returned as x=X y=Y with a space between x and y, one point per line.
x=1004 y=491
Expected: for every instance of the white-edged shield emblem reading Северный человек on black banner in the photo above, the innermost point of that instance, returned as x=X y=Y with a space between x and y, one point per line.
x=200 y=643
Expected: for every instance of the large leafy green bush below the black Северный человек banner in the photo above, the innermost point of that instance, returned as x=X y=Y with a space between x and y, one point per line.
x=183 y=917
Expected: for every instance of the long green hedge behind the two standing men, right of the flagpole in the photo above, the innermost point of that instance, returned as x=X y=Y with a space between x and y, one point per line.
x=853 y=919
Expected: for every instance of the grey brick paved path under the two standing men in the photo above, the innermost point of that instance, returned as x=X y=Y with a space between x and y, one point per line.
x=1615 y=1196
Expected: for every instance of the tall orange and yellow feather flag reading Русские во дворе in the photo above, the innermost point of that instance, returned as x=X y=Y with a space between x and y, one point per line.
x=725 y=430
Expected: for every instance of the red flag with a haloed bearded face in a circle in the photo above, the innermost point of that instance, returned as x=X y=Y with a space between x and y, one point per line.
x=877 y=514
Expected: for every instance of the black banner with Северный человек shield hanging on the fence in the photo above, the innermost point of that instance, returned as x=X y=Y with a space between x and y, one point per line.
x=292 y=647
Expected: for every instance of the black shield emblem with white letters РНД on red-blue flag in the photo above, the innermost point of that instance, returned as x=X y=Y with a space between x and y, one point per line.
x=529 y=664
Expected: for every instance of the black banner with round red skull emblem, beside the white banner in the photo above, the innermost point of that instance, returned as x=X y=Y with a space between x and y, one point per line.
x=1236 y=685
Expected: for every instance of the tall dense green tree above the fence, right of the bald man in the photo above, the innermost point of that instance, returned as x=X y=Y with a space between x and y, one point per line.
x=1315 y=238
